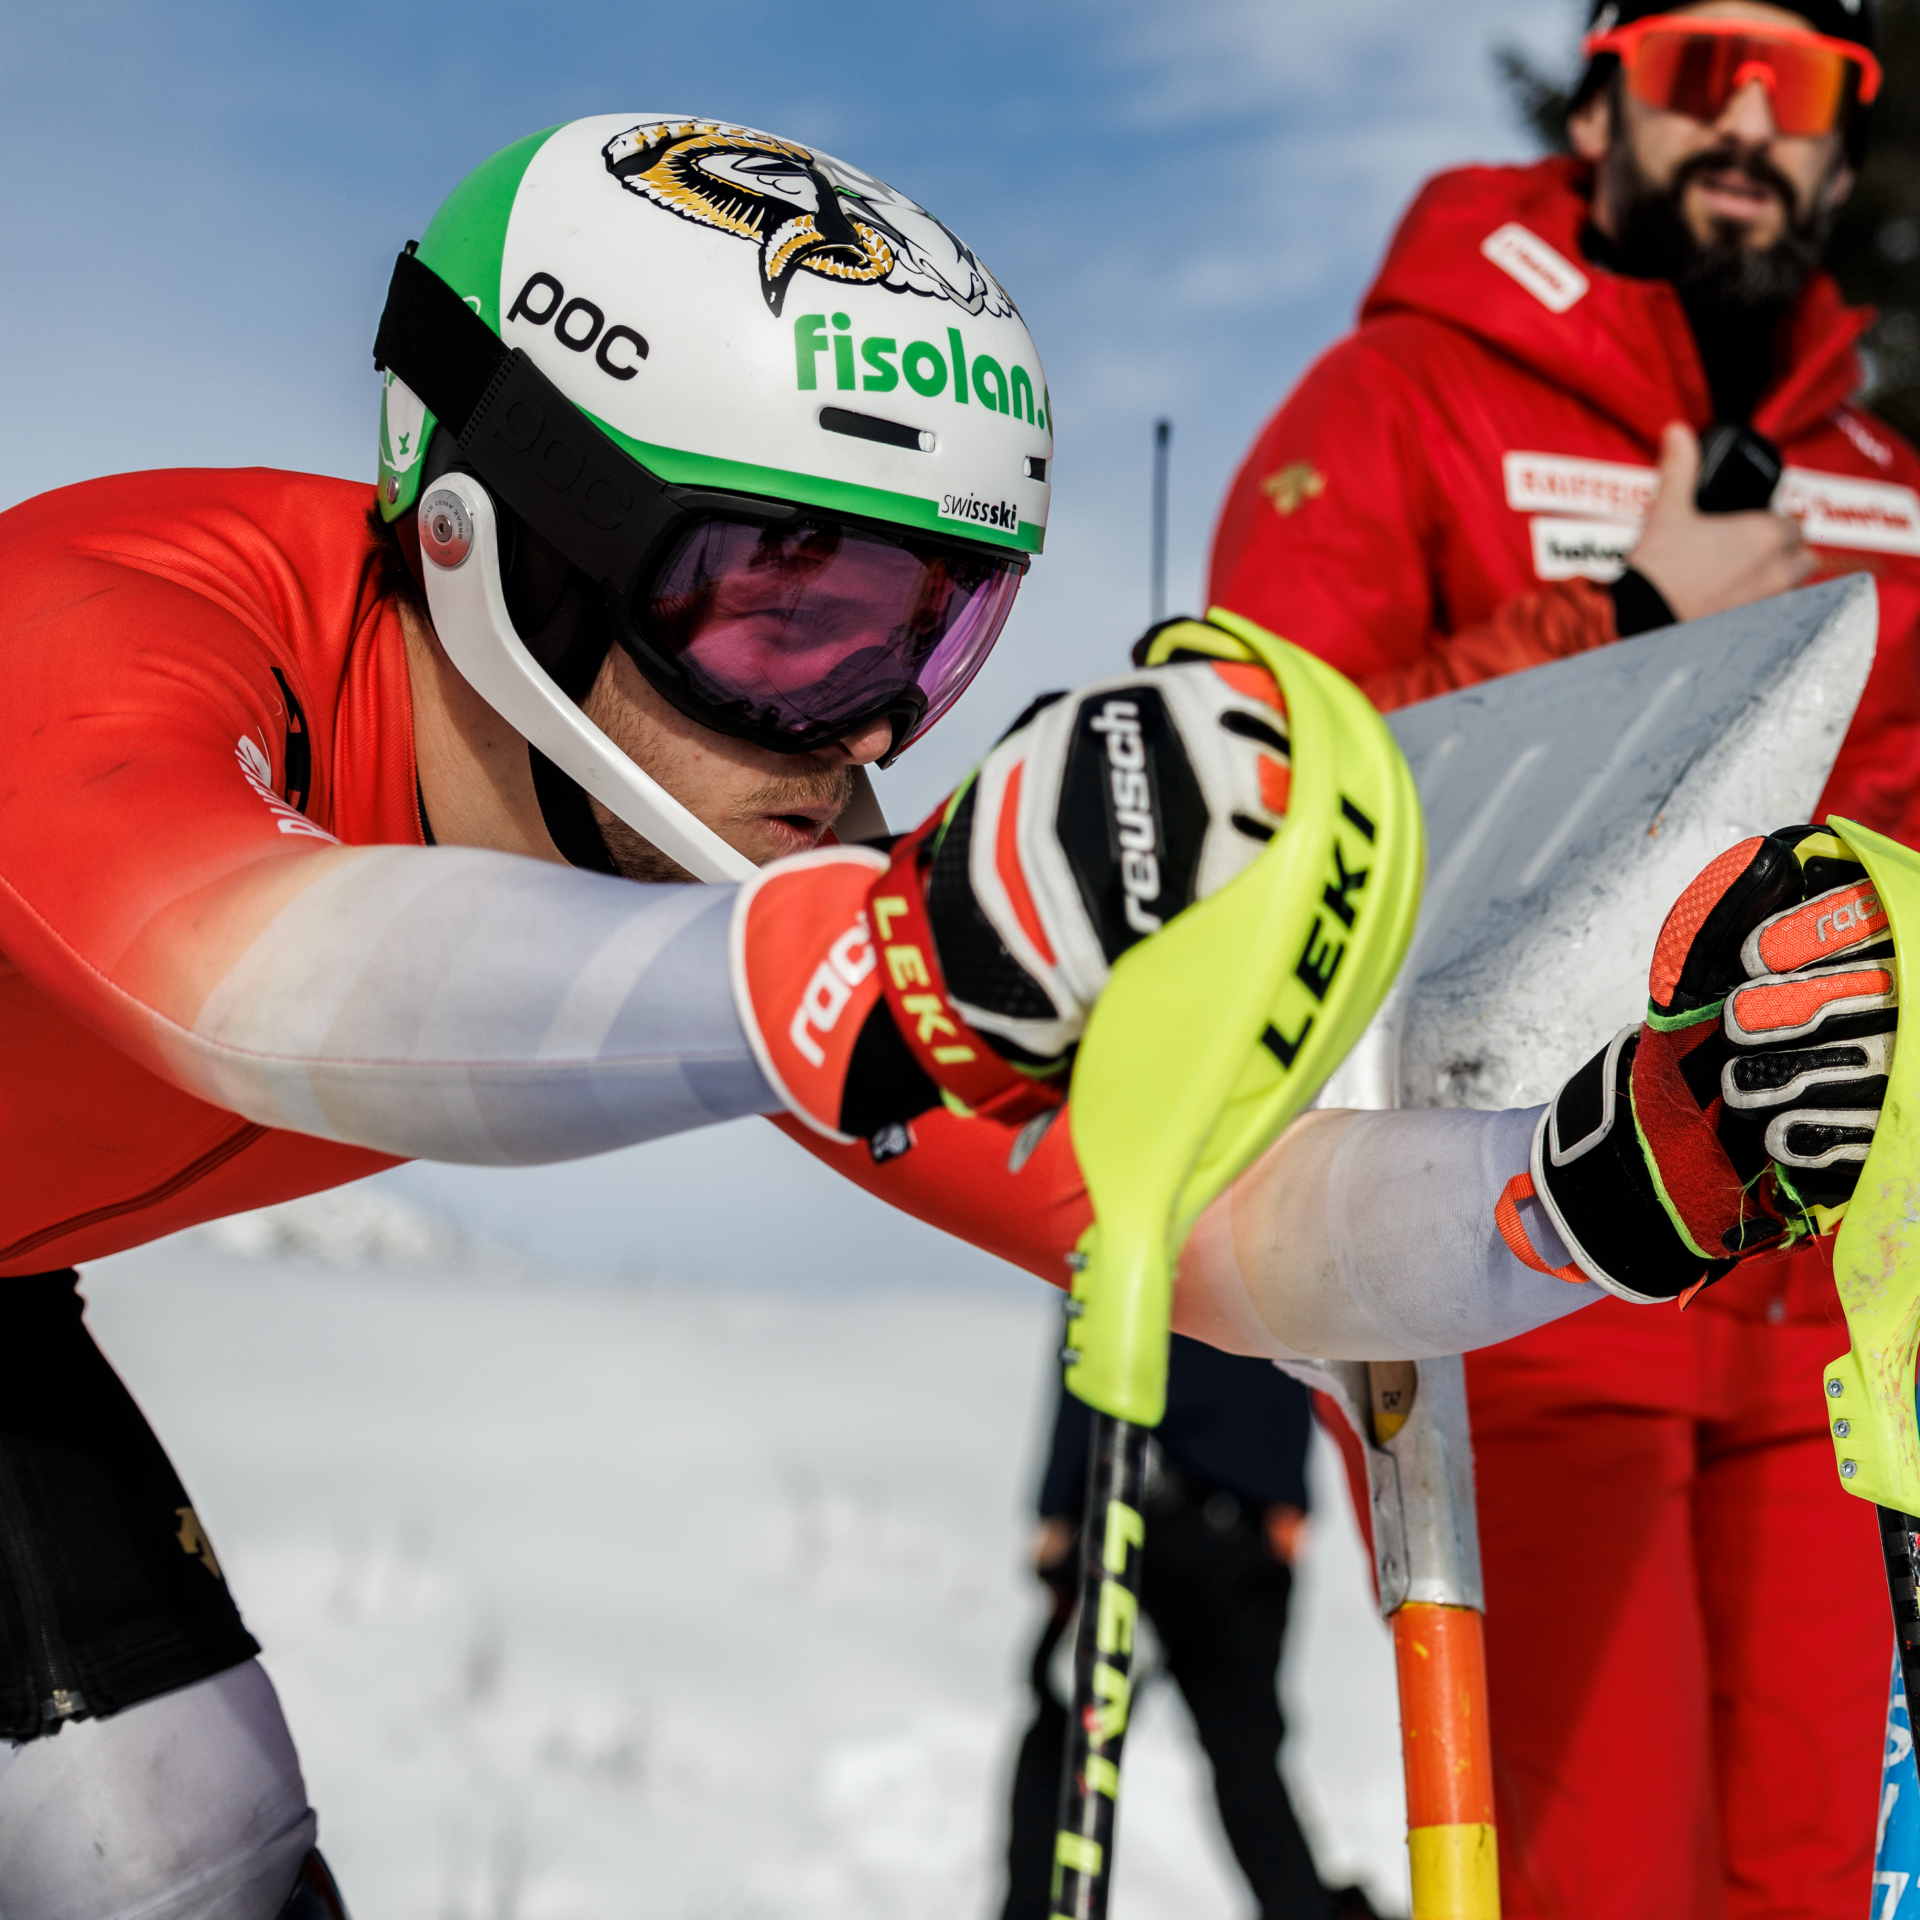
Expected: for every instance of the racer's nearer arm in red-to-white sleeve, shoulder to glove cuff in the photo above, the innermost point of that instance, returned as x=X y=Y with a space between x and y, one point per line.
x=446 y=1003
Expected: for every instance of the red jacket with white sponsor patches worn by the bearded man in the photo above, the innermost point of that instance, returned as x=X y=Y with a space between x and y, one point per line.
x=1441 y=492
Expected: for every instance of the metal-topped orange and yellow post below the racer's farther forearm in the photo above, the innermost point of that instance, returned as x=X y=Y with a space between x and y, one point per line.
x=1428 y=1556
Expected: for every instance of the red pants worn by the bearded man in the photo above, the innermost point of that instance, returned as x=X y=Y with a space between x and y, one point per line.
x=1687 y=1620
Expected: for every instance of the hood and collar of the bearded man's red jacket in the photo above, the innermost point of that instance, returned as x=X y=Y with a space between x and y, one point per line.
x=1497 y=252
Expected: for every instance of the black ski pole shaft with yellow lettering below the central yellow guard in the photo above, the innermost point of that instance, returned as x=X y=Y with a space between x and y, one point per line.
x=1113 y=1539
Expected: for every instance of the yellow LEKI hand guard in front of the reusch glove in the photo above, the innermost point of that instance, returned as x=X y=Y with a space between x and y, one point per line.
x=1216 y=1032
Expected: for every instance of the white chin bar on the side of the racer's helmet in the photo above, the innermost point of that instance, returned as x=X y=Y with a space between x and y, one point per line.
x=473 y=625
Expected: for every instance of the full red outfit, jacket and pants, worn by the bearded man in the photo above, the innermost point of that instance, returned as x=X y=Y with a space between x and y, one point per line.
x=1687 y=1616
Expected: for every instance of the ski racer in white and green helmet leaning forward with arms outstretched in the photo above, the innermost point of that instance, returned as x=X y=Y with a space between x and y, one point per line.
x=335 y=825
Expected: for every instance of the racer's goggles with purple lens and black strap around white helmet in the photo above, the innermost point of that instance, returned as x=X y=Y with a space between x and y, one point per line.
x=759 y=619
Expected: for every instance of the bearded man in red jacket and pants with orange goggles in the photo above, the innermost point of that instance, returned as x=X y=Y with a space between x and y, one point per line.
x=1687 y=1618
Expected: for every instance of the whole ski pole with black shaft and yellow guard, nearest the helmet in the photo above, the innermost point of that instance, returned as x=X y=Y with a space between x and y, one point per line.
x=1209 y=1040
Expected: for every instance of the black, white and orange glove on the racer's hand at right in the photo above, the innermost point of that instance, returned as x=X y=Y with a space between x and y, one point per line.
x=1737 y=1118
